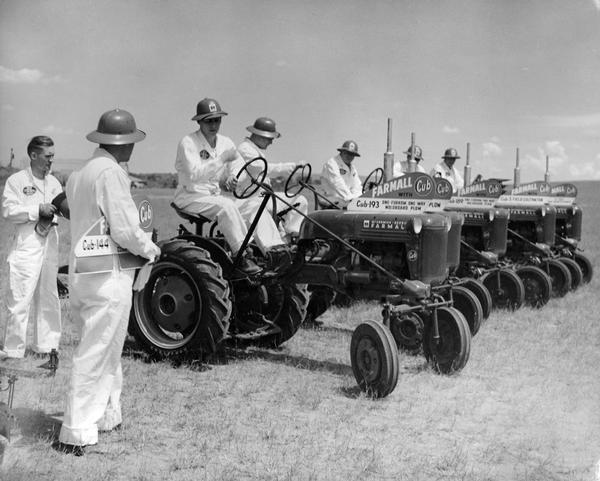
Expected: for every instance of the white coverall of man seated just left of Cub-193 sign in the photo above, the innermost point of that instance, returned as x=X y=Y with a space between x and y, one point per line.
x=339 y=183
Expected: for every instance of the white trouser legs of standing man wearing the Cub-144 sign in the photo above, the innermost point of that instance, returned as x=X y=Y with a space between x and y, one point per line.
x=100 y=305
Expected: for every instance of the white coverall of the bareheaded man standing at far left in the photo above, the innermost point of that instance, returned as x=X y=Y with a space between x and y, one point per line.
x=32 y=265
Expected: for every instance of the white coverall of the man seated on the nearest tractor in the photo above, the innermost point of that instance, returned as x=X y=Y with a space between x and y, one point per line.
x=201 y=169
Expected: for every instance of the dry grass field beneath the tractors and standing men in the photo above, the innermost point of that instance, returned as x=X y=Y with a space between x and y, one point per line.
x=526 y=406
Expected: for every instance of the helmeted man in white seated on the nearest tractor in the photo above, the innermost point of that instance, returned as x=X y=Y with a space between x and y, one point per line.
x=203 y=164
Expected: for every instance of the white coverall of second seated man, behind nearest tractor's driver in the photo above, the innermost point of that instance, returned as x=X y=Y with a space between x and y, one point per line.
x=292 y=220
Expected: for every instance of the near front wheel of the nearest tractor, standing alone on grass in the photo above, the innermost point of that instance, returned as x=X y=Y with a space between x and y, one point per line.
x=374 y=359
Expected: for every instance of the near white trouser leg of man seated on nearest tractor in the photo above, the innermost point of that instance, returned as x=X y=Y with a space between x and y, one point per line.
x=225 y=211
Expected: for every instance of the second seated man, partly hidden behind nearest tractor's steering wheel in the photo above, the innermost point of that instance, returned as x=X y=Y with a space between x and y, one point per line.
x=262 y=134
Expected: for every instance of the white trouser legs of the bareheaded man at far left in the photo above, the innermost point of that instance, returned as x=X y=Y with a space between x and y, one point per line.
x=32 y=270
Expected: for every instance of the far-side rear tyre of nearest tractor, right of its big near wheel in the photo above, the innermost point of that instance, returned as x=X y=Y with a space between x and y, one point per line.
x=267 y=316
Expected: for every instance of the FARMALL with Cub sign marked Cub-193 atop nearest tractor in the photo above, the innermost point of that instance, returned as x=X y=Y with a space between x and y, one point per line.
x=413 y=192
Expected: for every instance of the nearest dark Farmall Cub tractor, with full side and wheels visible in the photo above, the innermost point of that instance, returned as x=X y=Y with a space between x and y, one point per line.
x=196 y=298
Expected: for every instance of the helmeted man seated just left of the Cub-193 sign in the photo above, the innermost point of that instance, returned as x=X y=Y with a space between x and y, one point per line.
x=340 y=181
